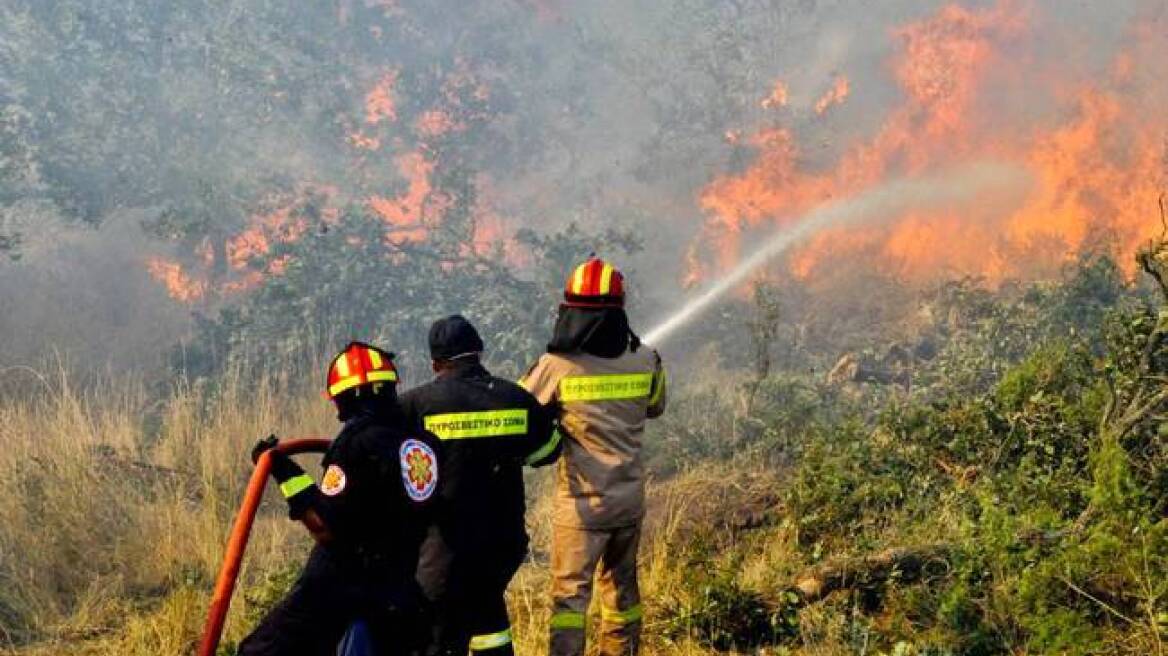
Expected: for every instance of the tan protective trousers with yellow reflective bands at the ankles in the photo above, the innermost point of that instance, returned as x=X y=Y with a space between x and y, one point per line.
x=576 y=555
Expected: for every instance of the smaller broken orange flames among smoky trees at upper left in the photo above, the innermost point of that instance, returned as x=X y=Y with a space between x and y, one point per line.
x=409 y=218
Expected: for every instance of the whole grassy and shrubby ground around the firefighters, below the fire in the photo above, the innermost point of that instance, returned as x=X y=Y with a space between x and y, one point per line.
x=1006 y=496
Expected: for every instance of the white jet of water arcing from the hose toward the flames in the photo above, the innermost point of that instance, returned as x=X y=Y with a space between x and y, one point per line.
x=873 y=206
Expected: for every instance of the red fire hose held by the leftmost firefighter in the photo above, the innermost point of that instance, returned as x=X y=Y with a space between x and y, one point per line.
x=225 y=587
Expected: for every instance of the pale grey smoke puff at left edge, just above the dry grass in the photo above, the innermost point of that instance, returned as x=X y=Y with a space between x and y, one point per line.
x=81 y=301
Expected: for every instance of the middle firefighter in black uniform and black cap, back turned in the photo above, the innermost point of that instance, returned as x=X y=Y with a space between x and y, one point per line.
x=490 y=428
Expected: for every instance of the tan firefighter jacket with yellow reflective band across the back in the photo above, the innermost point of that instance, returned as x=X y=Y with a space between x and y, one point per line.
x=603 y=407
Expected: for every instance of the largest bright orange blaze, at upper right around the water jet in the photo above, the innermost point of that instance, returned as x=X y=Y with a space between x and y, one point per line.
x=1095 y=151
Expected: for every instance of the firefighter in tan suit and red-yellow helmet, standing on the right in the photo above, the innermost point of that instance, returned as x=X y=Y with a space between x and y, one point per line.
x=607 y=385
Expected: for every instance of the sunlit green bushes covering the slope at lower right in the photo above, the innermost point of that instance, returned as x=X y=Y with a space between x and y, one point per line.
x=1034 y=450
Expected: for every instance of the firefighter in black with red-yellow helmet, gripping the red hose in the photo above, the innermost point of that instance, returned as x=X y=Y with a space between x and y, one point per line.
x=369 y=514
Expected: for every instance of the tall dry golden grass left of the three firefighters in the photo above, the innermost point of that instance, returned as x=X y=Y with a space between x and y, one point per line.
x=114 y=510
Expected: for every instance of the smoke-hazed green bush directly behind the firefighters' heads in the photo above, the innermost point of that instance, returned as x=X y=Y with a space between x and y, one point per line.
x=350 y=282
